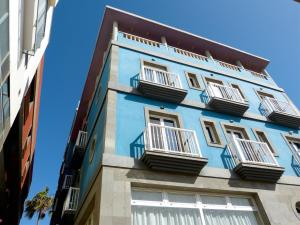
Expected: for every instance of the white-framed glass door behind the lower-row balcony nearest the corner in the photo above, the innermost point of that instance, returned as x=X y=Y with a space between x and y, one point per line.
x=164 y=135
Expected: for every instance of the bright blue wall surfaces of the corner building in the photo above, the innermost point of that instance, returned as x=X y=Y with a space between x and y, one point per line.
x=131 y=121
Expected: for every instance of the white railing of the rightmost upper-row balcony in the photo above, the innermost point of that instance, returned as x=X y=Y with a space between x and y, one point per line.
x=273 y=105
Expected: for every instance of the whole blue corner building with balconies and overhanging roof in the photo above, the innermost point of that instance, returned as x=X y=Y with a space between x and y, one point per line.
x=173 y=128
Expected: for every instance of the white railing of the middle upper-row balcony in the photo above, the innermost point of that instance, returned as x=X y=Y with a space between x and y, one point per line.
x=224 y=92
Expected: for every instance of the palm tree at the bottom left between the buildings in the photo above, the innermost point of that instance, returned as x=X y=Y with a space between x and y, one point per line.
x=40 y=204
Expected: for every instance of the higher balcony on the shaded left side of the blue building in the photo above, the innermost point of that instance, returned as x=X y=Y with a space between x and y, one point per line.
x=79 y=150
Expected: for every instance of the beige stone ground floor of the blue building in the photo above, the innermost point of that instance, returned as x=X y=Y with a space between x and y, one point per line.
x=125 y=192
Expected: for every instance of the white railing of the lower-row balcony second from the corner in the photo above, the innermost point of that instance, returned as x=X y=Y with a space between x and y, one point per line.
x=251 y=152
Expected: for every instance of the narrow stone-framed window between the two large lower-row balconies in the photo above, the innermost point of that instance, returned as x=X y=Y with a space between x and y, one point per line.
x=211 y=134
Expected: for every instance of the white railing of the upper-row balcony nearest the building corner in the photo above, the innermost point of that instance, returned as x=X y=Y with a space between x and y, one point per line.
x=160 y=77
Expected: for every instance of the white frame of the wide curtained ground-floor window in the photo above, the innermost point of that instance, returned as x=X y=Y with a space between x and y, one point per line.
x=198 y=204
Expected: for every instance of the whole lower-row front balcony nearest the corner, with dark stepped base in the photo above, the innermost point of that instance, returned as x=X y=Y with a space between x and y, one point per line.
x=172 y=149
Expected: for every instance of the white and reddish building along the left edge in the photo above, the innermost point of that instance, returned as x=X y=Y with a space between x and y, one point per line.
x=24 y=36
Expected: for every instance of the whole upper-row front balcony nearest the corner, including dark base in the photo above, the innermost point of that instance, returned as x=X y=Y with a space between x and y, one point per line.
x=161 y=85
